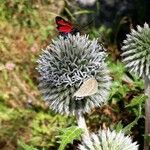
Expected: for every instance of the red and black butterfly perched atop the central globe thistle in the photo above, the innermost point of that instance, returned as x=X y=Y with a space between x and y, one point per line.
x=64 y=27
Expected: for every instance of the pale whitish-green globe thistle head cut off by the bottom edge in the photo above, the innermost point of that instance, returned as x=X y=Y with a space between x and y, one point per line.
x=108 y=140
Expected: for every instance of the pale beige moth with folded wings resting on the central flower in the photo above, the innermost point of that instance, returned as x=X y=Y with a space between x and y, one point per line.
x=88 y=88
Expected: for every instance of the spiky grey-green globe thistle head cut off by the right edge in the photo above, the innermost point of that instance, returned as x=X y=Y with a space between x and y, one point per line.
x=136 y=51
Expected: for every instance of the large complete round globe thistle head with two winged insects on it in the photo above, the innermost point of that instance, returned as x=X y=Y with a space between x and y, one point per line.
x=64 y=65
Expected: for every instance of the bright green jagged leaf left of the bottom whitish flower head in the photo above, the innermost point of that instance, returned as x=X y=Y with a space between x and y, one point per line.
x=68 y=135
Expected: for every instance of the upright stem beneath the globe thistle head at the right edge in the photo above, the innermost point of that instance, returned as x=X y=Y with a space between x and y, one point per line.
x=147 y=112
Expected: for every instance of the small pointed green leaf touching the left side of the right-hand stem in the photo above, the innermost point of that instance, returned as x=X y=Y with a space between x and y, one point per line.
x=138 y=100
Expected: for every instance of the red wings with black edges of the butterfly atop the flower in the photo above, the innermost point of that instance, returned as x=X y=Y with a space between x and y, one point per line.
x=64 y=26
